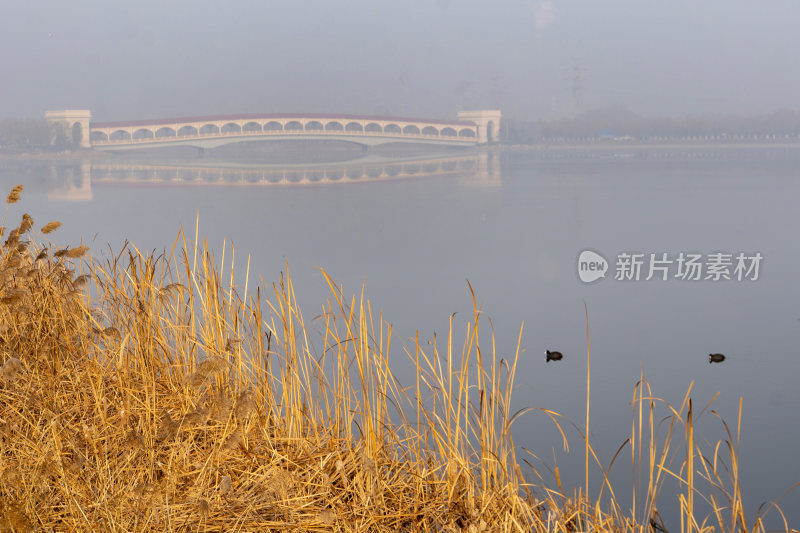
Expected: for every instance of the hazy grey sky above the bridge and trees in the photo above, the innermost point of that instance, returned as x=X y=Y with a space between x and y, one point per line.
x=148 y=59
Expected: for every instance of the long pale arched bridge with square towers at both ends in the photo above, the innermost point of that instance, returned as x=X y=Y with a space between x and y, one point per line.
x=471 y=128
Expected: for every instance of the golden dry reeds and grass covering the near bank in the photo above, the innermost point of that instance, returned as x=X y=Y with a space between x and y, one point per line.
x=157 y=393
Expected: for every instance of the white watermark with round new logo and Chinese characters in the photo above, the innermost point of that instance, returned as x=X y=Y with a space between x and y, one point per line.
x=663 y=266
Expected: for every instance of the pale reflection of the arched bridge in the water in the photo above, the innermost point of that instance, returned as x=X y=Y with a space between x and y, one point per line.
x=75 y=182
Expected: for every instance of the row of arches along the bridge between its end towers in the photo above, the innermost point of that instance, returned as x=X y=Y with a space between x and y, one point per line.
x=201 y=129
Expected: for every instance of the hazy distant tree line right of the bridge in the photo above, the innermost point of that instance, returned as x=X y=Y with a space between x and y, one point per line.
x=619 y=122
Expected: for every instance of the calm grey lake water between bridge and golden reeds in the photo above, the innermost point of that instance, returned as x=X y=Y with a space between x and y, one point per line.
x=513 y=224
